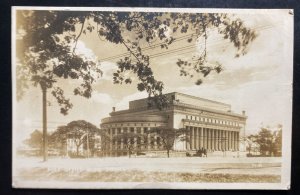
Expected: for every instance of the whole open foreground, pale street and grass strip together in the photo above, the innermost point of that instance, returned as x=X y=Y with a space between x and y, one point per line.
x=145 y=169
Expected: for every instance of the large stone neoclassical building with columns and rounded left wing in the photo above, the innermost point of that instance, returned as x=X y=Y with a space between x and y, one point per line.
x=211 y=125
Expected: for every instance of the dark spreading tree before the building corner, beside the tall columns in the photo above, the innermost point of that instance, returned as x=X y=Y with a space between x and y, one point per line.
x=168 y=136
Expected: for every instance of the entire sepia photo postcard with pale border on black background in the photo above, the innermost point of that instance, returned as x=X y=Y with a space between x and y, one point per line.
x=151 y=98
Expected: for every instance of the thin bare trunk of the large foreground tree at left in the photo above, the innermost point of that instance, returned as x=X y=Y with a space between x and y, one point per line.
x=45 y=138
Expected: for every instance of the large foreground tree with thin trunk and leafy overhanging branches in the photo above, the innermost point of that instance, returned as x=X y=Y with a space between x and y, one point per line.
x=48 y=40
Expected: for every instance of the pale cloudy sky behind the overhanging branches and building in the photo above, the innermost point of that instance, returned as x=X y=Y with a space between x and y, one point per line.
x=259 y=82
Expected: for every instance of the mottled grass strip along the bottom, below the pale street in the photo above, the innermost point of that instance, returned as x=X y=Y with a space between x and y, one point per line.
x=44 y=174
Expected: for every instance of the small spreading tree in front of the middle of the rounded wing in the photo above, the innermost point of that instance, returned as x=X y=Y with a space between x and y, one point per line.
x=130 y=140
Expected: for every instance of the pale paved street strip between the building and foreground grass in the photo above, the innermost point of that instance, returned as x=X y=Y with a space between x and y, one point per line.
x=253 y=166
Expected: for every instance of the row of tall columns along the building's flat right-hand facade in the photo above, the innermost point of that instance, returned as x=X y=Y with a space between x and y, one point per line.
x=212 y=139
